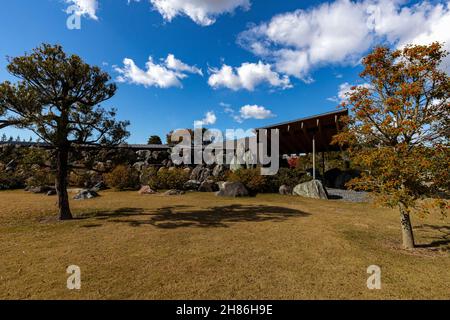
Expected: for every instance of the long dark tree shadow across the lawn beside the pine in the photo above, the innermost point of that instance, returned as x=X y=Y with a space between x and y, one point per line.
x=184 y=216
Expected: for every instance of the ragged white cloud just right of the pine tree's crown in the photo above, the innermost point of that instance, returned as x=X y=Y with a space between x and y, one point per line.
x=166 y=74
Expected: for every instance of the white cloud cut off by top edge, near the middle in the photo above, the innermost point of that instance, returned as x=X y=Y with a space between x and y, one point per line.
x=202 y=12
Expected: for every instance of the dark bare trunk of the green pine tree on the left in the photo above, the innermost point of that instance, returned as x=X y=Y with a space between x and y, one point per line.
x=61 y=184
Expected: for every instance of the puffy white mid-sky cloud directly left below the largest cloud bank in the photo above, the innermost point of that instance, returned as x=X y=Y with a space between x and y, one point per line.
x=248 y=76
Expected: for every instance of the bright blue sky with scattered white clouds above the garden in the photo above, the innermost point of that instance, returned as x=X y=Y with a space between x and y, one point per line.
x=261 y=61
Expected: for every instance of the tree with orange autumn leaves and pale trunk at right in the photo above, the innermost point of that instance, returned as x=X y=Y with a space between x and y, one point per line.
x=398 y=130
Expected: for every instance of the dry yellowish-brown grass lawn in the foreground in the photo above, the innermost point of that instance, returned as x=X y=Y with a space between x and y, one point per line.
x=202 y=247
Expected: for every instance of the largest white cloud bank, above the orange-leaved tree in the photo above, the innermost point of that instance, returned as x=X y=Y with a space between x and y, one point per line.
x=341 y=32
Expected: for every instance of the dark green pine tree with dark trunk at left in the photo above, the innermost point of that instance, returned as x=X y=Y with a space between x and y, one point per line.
x=58 y=96
